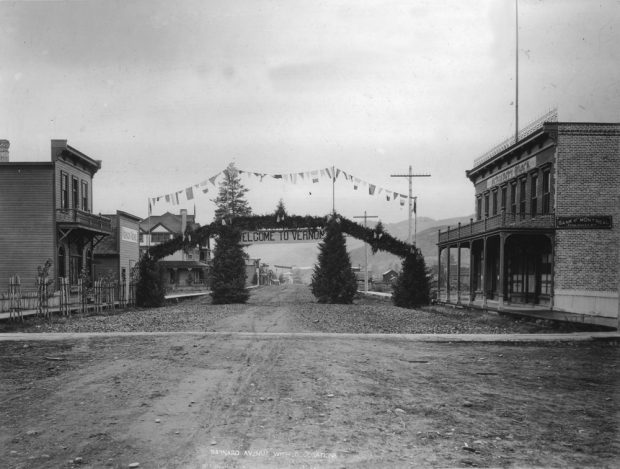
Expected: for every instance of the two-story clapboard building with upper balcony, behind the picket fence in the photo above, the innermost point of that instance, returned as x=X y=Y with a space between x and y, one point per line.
x=46 y=212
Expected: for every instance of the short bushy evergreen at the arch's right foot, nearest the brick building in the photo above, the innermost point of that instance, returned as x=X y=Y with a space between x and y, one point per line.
x=412 y=288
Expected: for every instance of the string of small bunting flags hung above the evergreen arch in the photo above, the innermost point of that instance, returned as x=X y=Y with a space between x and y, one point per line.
x=313 y=177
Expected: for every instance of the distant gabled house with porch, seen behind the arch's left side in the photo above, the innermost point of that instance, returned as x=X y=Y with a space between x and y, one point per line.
x=182 y=268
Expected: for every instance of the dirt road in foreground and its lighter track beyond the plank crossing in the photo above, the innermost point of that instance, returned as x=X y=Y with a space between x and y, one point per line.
x=192 y=401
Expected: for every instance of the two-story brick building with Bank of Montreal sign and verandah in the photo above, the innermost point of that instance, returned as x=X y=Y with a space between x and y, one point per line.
x=544 y=241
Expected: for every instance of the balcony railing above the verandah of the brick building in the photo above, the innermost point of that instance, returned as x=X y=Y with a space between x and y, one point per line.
x=500 y=221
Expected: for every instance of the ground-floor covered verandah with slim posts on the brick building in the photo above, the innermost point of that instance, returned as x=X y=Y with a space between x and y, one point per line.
x=503 y=270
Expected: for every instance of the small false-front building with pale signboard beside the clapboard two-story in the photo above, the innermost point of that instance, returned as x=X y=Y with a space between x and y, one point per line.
x=117 y=255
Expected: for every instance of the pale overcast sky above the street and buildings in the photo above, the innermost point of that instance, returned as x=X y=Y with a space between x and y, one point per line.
x=167 y=93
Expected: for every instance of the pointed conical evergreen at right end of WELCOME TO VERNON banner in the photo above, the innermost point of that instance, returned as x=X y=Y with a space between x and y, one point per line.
x=333 y=280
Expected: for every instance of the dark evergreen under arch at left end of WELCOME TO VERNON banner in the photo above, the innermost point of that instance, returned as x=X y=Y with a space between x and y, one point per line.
x=228 y=281
